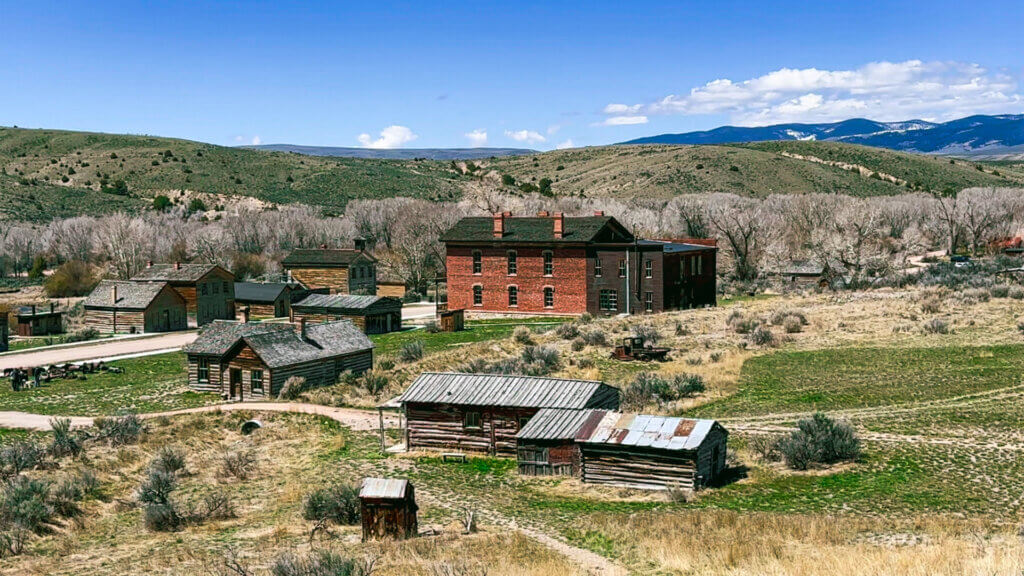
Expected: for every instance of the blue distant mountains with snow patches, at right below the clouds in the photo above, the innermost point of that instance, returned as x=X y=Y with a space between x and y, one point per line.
x=992 y=137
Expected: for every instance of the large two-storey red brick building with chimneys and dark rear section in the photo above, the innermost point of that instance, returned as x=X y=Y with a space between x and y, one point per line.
x=570 y=266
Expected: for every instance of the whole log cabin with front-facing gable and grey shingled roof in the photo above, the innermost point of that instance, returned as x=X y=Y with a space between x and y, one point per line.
x=252 y=361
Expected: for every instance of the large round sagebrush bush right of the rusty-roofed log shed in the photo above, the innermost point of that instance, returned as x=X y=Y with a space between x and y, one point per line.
x=820 y=440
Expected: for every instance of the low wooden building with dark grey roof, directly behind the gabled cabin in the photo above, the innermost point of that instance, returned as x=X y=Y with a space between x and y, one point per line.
x=372 y=314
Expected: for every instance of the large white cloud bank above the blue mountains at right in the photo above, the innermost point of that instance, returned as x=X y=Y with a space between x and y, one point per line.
x=884 y=91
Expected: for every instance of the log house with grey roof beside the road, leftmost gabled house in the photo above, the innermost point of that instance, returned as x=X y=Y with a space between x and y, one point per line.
x=130 y=308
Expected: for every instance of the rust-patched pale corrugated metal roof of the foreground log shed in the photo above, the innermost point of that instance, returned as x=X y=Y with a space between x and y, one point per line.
x=665 y=433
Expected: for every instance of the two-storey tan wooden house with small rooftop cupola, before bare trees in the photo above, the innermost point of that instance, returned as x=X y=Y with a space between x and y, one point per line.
x=343 y=271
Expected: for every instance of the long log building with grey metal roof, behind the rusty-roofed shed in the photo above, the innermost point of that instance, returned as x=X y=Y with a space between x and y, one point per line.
x=484 y=413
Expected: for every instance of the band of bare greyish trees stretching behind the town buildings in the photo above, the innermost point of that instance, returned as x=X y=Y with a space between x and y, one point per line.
x=866 y=236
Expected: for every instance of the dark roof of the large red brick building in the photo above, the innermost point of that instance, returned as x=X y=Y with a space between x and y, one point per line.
x=539 y=229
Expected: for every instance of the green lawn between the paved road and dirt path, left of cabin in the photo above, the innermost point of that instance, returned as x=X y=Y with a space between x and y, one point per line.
x=151 y=384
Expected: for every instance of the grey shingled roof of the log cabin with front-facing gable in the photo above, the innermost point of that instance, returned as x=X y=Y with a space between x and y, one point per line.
x=282 y=345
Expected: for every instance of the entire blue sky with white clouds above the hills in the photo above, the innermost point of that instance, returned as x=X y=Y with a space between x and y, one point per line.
x=526 y=74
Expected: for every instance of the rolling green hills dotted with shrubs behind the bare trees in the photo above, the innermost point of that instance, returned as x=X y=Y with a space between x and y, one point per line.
x=50 y=174
